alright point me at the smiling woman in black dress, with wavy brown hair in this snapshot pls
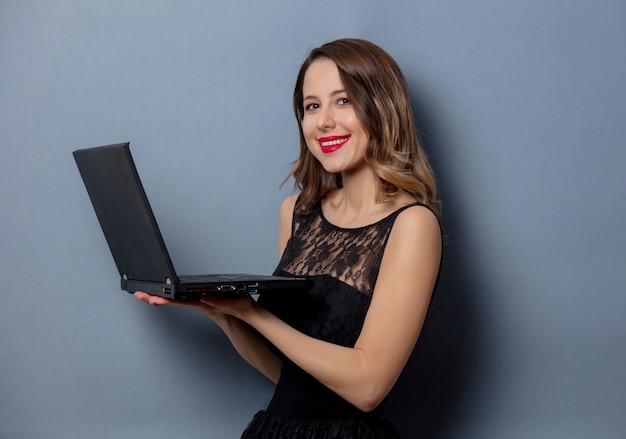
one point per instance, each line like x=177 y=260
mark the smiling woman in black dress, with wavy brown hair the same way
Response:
x=364 y=227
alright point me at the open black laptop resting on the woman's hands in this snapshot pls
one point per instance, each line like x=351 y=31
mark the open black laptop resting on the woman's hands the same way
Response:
x=133 y=236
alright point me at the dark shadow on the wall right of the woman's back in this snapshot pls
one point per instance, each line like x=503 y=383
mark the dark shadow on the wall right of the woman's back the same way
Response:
x=436 y=380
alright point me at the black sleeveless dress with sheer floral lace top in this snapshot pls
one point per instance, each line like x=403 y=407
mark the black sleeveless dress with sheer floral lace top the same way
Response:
x=343 y=263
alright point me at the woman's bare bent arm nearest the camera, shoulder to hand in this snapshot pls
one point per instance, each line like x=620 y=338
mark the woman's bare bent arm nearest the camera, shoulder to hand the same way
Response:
x=364 y=375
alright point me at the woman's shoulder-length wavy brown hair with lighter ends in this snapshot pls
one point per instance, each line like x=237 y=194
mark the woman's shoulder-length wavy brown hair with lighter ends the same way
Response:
x=377 y=90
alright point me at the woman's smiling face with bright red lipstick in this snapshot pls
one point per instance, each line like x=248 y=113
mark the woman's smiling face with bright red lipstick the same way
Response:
x=331 y=128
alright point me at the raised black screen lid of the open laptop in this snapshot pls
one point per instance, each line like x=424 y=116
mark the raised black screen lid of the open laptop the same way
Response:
x=125 y=216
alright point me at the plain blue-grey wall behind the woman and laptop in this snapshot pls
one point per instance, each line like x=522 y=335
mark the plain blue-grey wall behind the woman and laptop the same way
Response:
x=522 y=109
